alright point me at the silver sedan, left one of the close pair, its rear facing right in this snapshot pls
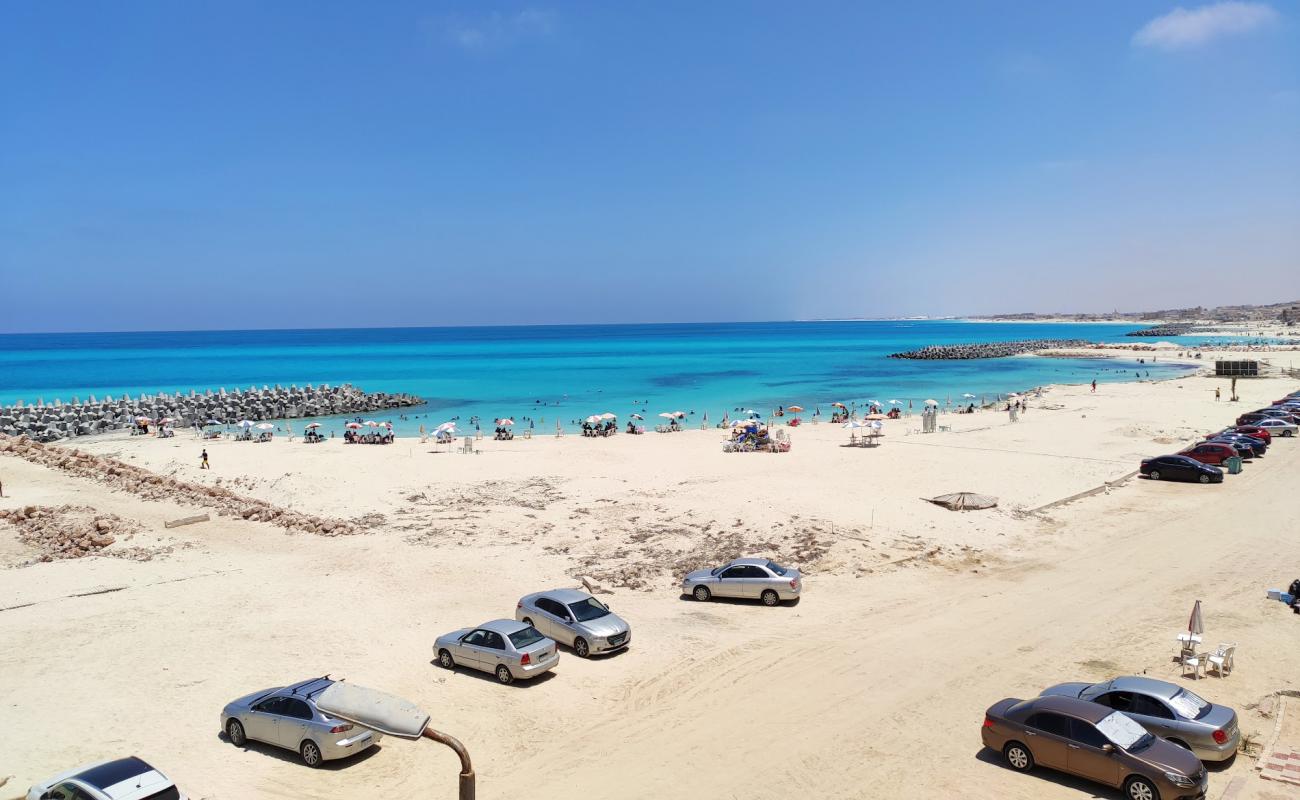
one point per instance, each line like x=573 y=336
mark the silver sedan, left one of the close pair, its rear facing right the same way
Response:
x=506 y=648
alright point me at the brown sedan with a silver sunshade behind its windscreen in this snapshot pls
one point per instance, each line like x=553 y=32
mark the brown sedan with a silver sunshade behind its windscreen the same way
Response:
x=1090 y=741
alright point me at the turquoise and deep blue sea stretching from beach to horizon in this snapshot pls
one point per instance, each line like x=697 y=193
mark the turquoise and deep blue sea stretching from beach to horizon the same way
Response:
x=567 y=371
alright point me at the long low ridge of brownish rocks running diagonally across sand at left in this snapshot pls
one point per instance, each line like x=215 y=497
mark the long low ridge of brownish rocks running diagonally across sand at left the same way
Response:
x=149 y=486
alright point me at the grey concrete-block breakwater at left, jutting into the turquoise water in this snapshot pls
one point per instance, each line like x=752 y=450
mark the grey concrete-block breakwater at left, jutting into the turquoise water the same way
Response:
x=63 y=421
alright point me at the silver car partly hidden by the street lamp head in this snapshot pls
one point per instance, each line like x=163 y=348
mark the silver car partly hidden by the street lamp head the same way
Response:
x=288 y=717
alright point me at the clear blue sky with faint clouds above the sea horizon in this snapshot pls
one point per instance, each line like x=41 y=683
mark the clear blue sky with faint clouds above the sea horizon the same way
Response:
x=184 y=166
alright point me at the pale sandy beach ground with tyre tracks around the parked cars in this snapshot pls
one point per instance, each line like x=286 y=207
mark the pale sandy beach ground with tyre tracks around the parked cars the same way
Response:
x=916 y=619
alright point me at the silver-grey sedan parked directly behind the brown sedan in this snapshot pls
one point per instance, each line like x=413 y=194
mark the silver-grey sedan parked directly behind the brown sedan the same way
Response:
x=1211 y=732
